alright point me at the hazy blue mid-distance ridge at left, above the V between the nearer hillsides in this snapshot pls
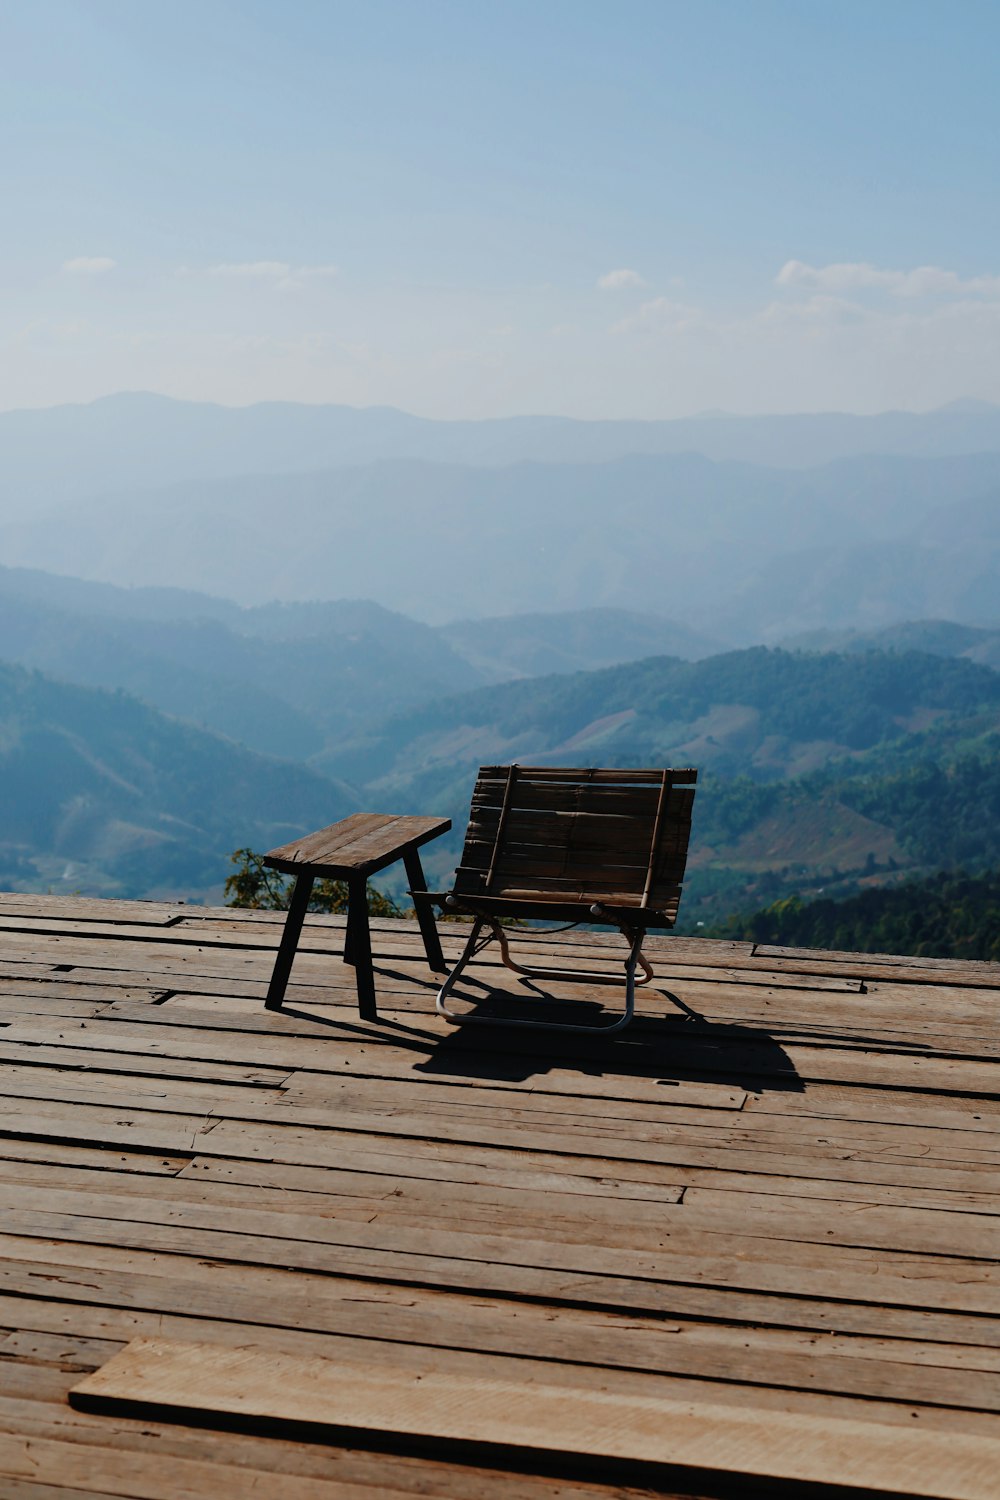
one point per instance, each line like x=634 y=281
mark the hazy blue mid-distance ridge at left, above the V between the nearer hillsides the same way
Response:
x=289 y=679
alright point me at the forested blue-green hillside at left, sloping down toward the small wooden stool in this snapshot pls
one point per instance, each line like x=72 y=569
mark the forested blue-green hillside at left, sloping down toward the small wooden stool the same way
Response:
x=107 y=796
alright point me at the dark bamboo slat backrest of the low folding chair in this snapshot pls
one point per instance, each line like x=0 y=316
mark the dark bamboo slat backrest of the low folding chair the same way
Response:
x=576 y=838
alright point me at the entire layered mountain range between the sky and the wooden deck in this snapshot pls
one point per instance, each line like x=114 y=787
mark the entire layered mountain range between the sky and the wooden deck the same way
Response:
x=428 y=580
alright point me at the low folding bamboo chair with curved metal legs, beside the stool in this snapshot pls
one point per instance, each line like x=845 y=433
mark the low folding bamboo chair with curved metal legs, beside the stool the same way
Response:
x=576 y=847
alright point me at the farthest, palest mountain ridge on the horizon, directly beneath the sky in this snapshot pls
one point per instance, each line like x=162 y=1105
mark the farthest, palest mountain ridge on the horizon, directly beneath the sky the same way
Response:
x=125 y=442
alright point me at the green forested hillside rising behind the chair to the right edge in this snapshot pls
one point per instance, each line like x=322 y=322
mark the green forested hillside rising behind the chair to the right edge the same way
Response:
x=816 y=772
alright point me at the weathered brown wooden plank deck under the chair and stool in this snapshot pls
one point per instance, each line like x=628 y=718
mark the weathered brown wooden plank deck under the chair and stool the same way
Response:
x=755 y=1241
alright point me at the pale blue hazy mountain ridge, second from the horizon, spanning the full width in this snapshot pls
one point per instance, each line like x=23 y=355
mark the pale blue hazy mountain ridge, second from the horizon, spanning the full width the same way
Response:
x=737 y=551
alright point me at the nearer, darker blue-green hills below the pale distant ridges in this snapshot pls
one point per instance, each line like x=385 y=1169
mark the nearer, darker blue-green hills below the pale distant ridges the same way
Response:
x=828 y=769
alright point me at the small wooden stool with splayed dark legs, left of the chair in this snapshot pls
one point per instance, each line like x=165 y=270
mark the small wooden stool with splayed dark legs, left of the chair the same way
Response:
x=355 y=850
